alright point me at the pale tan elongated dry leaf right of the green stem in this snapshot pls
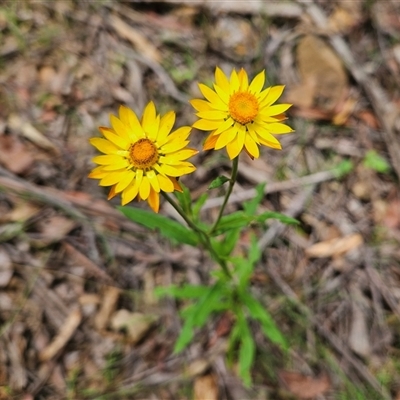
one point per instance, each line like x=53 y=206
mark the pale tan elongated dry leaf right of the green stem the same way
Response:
x=335 y=247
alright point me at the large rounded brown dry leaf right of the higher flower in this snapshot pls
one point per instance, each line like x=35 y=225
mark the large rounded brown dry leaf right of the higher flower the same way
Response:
x=324 y=82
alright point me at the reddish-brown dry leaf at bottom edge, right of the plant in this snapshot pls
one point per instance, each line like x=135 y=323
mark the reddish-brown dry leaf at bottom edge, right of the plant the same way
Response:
x=303 y=386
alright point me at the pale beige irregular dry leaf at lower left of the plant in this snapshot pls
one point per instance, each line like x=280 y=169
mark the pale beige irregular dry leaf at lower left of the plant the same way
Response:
x=136 y=324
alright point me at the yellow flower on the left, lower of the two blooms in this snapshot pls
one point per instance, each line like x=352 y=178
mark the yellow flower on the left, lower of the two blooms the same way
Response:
x=142 y=158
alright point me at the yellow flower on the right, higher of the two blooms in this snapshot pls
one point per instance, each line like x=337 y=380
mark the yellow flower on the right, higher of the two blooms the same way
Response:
x=240 y=115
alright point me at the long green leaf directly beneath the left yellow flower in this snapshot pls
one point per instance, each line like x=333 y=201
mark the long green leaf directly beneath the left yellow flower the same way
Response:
x=167 y=227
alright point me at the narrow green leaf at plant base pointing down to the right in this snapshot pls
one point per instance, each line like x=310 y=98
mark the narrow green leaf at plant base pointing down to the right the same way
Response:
x=258 y=312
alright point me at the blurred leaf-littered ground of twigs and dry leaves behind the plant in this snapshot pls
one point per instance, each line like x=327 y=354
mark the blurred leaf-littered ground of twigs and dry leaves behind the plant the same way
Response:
x=78 y=317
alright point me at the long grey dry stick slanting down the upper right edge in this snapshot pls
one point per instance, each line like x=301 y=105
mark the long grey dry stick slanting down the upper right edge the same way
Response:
x=385 y=110
